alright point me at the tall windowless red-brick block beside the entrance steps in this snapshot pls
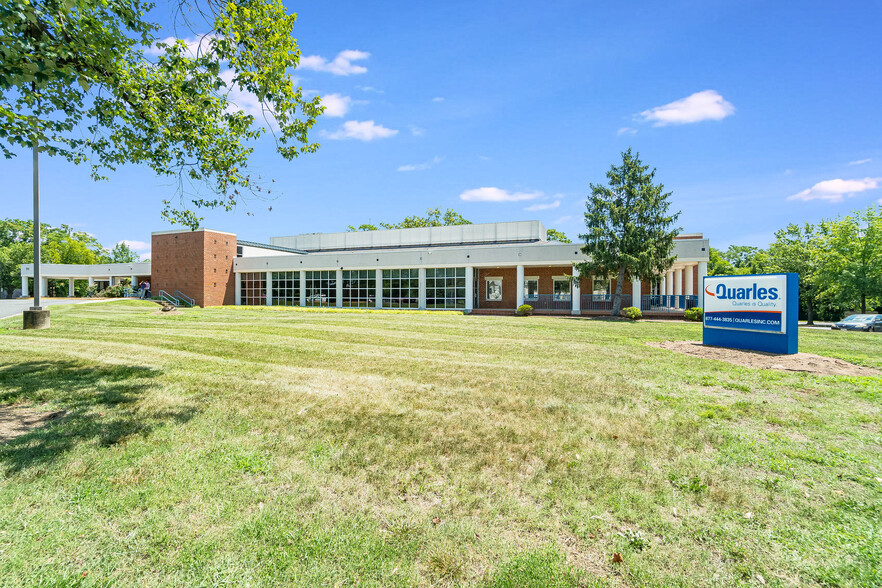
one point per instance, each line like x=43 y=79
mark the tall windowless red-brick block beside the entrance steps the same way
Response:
x=198 y=263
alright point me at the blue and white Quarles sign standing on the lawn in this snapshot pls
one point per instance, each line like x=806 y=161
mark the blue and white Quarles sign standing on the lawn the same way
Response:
x=752 y=312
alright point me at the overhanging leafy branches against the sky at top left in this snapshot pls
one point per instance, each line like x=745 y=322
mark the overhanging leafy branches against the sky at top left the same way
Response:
x=88 y=81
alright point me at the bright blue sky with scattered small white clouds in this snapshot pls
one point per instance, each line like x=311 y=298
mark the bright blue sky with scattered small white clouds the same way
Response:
x=755 y=114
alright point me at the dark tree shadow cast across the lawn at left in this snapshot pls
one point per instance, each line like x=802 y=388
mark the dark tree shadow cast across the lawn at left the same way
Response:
x=100 y=404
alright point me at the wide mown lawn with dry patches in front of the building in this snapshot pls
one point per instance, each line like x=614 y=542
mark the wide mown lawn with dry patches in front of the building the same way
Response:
x=264 y=447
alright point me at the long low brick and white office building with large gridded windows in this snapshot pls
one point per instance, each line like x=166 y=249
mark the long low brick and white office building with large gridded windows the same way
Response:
x=493 y=267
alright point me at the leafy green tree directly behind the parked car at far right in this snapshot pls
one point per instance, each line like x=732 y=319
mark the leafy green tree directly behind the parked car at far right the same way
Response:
x=851 y=271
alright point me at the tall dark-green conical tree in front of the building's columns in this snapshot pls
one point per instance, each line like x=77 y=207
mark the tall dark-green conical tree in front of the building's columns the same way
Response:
x=630 y=230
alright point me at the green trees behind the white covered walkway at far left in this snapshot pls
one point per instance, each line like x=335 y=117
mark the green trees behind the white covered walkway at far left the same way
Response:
x=60 y=244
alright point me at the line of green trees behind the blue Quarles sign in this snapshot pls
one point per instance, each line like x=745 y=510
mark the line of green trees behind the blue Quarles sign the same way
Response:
x=839 y=262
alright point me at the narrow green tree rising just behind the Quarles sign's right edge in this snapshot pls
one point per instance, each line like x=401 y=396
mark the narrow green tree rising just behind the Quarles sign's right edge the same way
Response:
x=798 y=249
